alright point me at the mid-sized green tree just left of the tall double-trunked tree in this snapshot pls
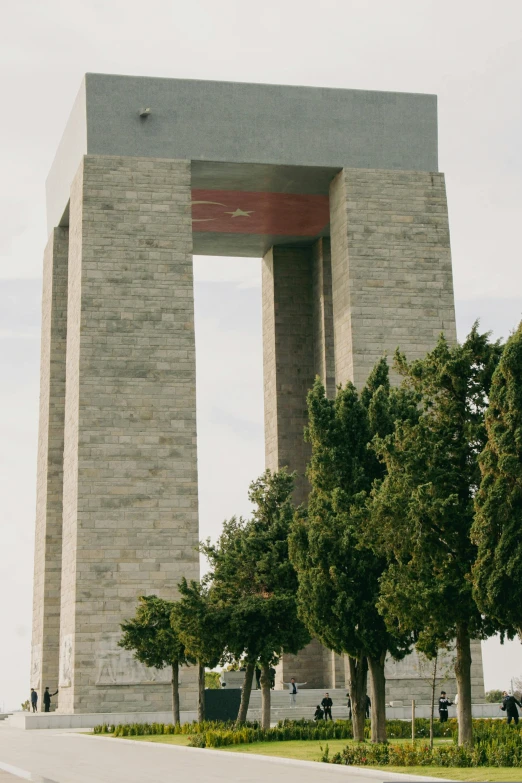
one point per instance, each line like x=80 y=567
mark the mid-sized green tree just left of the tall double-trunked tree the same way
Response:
x=255 y=582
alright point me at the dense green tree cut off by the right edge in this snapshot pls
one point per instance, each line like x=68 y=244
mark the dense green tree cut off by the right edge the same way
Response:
x=497 y=572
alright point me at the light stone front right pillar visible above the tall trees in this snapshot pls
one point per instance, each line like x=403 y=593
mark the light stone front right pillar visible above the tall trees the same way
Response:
x=391 y=267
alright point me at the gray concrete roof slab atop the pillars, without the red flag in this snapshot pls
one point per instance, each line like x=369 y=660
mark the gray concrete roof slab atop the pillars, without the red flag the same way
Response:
x=244 y=138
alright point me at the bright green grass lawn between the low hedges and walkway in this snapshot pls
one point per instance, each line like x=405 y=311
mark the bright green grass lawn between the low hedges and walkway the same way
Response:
x=310 y=750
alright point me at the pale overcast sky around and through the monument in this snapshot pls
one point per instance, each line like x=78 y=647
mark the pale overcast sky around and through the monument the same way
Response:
x=469 y=53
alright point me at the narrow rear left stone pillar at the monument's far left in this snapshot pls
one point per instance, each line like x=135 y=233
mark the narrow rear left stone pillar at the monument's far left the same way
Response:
x=48 y=541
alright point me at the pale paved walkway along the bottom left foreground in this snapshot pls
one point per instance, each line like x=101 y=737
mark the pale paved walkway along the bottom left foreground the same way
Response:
x=48 y=756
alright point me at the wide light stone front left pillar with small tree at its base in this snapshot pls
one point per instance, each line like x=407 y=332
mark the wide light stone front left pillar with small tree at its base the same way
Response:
x=130 y=517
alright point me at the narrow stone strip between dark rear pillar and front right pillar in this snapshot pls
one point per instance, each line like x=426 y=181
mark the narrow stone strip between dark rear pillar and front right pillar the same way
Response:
x=324 y=360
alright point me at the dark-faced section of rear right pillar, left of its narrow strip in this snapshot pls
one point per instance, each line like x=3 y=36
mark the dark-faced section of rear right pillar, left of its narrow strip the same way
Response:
x=288 y=358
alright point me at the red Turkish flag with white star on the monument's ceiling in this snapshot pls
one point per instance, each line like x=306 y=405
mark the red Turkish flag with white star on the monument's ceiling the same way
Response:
x=246 y=212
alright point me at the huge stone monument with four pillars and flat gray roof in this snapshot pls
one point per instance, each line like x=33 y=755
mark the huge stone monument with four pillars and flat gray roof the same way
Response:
x=339 y=192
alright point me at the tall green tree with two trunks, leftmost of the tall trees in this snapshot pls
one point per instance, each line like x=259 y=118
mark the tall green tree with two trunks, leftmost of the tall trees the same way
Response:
x=338 y=573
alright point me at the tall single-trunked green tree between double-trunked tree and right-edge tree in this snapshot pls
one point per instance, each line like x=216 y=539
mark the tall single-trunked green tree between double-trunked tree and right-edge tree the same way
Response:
x=423 y=509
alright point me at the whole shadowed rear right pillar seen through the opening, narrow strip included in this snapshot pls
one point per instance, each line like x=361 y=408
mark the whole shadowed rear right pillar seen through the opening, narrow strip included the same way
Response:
x=297 y=345
